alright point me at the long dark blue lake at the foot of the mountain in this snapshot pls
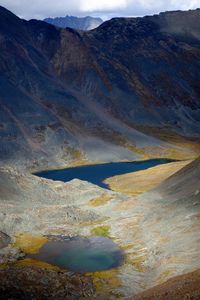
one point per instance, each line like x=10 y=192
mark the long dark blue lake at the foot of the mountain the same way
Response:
x=98 y=173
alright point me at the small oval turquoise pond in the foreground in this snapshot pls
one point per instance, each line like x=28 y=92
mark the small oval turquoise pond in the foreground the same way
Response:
x=81 y=255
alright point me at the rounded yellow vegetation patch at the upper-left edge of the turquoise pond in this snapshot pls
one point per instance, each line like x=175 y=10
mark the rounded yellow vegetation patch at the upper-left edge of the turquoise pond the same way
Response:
x=28 y=243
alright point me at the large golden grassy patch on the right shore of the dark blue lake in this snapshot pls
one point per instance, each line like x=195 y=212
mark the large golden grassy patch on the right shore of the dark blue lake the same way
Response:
x=142 y=181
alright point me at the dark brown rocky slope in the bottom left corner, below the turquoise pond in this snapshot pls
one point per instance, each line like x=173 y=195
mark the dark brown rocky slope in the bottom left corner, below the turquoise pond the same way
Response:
x=28 y=283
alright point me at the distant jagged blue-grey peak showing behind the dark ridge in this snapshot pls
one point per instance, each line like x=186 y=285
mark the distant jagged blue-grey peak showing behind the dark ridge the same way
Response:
x=85 y=23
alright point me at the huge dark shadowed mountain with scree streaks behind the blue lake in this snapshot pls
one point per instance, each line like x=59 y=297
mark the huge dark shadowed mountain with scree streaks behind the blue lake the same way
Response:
x=128 y=89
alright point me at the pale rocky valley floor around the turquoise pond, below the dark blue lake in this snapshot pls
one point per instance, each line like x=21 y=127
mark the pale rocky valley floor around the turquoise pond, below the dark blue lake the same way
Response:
x=157 y=229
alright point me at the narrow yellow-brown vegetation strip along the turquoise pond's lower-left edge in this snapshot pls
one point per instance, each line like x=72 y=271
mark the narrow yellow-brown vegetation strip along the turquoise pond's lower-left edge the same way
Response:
x=37 y=264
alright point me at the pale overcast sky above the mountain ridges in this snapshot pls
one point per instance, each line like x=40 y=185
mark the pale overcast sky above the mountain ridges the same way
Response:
x=40 y=9
